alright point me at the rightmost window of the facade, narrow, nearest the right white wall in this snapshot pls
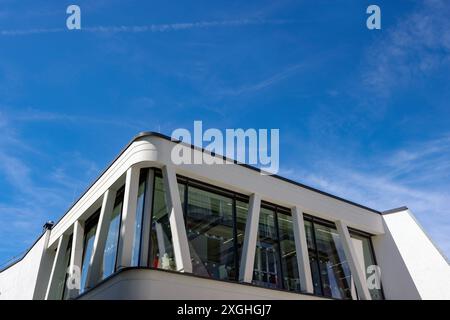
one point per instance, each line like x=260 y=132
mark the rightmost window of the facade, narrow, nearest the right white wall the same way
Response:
x=364 y=253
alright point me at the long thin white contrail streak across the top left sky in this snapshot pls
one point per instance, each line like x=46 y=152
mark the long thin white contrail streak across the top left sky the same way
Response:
x=152 y=28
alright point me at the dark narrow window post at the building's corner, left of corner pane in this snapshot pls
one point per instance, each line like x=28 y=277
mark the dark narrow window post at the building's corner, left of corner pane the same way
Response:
x=146 y=221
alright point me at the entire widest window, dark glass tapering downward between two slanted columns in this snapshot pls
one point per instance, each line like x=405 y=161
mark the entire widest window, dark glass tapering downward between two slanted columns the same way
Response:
x=215 y=226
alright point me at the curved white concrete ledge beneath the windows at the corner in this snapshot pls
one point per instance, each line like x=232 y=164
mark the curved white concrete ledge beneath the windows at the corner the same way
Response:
x=152 y=284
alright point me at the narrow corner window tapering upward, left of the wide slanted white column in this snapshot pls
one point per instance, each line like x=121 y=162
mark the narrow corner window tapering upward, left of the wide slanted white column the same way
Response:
x=161 y=249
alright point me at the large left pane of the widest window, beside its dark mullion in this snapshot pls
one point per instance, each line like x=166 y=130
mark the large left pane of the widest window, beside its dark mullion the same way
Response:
x=209 y=225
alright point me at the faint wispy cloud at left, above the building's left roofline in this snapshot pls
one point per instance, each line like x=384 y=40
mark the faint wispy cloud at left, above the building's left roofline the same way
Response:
x=31 y=196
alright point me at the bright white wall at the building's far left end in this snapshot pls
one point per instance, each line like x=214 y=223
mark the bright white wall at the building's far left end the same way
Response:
x=18 y=281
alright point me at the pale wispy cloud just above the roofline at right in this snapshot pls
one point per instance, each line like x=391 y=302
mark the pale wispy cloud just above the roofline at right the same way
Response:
x=379 y=185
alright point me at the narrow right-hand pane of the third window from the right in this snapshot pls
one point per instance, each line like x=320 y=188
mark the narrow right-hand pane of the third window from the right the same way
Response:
x=288 y=254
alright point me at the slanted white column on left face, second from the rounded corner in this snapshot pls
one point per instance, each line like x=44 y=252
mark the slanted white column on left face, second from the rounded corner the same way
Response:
x=94 y=272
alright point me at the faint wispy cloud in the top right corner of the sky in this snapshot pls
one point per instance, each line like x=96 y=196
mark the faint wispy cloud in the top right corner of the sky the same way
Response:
x=418 y=45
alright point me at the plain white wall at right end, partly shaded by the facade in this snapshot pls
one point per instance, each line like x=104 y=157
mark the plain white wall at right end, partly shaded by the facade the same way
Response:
x=411 y=266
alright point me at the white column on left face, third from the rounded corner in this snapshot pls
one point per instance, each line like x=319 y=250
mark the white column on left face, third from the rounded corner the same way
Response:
x=76 y=258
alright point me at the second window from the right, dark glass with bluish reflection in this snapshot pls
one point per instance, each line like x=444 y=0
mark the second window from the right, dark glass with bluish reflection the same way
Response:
x=329 y=267
